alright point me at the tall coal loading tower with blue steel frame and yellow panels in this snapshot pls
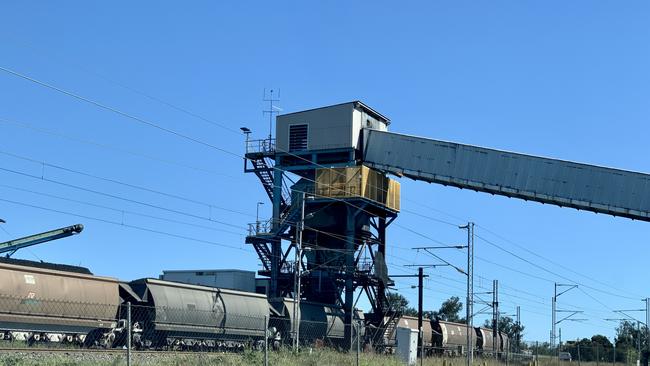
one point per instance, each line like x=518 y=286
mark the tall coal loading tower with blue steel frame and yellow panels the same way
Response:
x=326 y=240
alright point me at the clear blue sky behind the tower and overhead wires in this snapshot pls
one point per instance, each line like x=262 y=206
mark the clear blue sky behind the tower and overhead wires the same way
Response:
x=559 y=79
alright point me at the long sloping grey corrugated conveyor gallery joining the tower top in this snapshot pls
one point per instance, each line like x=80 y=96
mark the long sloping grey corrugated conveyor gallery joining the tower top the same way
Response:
x=564 y=183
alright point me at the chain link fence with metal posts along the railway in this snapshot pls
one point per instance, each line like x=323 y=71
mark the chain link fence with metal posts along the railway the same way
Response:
x=129 y=330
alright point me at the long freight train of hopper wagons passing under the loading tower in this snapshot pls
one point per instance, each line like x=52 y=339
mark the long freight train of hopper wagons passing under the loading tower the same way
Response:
x=42 y=302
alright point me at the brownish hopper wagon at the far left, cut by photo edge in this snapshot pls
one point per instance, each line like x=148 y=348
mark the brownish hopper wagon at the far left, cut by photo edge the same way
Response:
x=39 y=303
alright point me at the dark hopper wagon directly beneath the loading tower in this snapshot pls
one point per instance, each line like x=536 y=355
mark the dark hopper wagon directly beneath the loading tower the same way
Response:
x=318 y=322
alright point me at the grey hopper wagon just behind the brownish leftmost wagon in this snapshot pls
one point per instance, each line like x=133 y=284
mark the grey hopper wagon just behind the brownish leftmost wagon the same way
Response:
x=175 y=315
